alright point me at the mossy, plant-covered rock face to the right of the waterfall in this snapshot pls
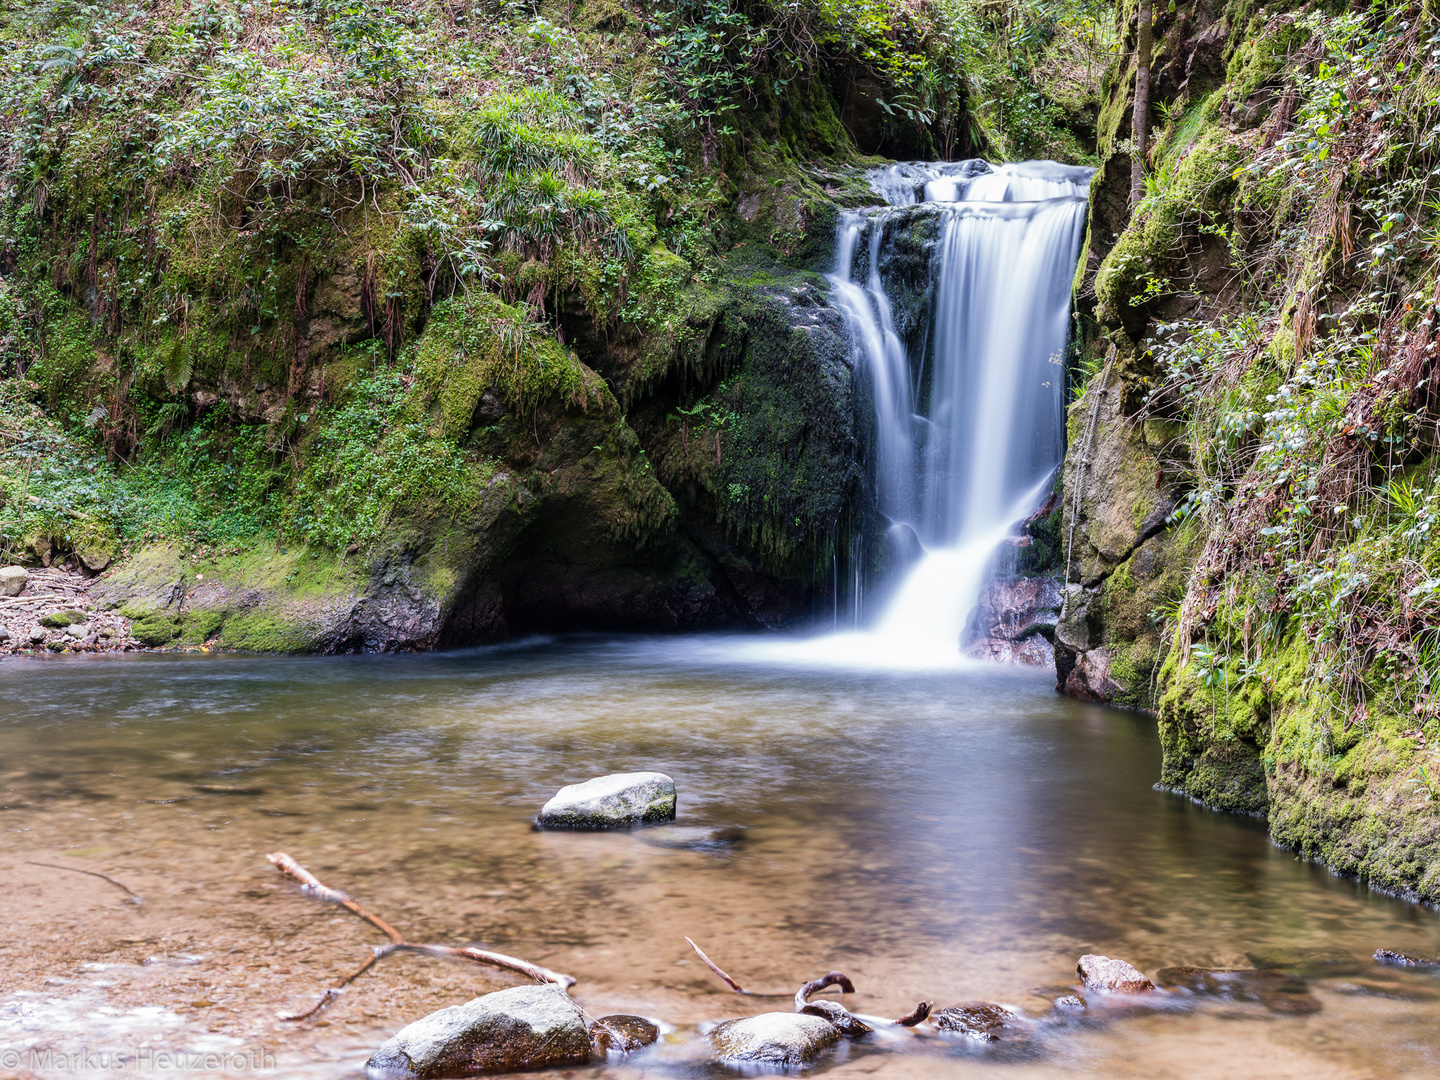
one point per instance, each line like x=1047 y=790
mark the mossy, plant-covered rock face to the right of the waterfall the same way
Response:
x=1251 y=489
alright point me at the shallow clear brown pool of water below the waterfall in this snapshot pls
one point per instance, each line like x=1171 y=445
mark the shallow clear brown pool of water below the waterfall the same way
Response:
x=945 y=836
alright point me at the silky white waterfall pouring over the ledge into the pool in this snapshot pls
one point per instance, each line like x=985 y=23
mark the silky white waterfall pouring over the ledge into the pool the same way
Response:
x=970 y=423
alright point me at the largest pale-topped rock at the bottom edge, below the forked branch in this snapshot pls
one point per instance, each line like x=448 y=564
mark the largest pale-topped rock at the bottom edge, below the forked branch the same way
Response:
x=521 y=1029
